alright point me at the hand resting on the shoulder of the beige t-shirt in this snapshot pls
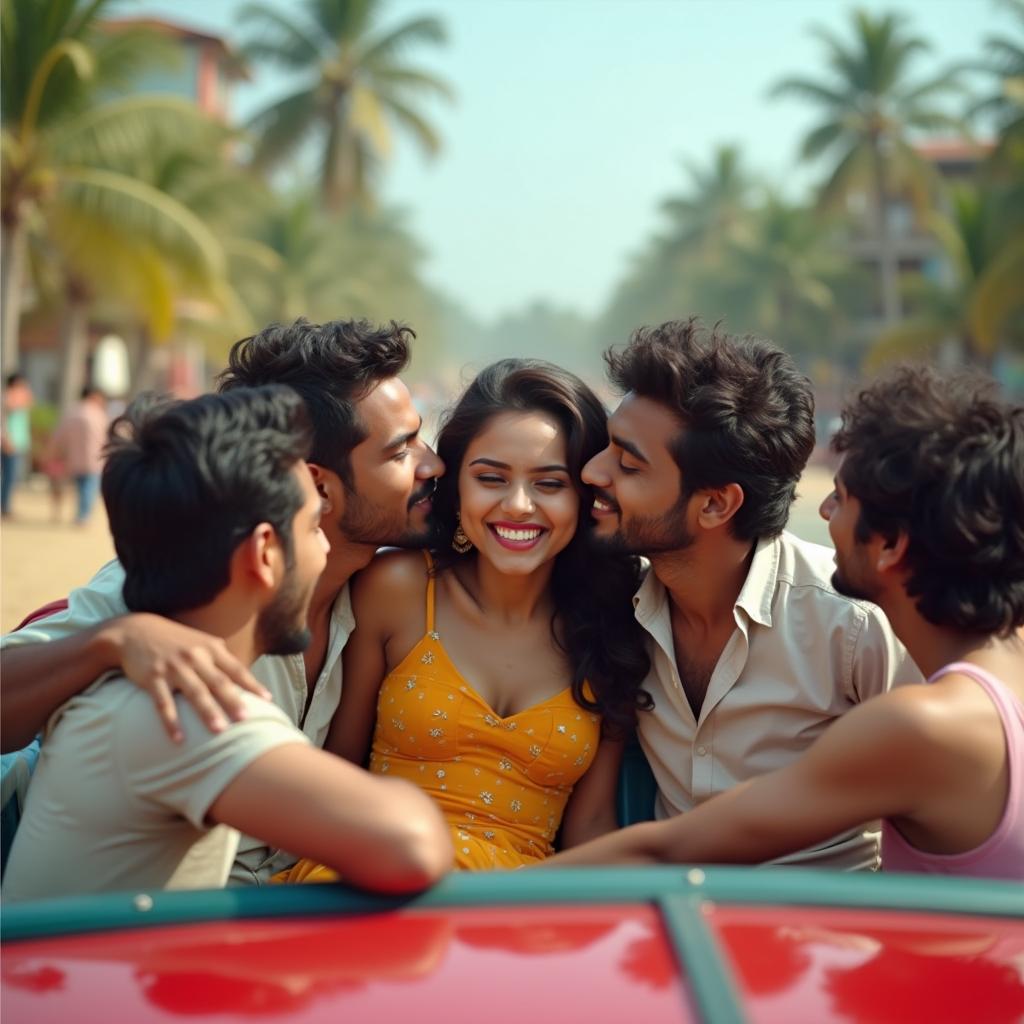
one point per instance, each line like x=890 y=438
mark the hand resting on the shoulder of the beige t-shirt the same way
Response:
x=164 y=658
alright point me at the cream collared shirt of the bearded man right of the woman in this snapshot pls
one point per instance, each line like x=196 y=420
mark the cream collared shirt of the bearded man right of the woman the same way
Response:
x=800 y=657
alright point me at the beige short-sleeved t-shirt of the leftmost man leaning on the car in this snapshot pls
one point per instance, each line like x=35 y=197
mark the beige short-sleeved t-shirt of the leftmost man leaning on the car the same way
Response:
x=115 y=804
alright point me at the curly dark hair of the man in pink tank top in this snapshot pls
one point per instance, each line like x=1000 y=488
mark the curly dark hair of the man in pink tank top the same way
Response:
x=941 y=457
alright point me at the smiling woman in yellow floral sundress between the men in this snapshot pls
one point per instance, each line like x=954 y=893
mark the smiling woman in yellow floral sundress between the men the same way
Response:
x=502 y=673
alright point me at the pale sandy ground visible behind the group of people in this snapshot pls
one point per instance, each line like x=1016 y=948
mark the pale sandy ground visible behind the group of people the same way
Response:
x=41 y=561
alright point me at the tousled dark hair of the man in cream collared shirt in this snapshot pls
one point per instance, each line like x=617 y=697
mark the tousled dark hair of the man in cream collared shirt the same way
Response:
x=746 y=414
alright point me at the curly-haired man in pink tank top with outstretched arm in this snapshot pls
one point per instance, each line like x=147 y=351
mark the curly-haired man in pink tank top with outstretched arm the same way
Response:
x=928 y=523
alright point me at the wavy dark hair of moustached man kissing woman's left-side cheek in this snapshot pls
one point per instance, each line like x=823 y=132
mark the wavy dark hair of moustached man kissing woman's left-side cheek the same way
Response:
x=331 y=366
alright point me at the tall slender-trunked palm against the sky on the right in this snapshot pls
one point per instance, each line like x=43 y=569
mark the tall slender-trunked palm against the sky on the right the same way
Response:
x=870 y=108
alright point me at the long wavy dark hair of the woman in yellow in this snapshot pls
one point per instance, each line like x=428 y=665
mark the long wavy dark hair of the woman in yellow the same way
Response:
x=593 y=621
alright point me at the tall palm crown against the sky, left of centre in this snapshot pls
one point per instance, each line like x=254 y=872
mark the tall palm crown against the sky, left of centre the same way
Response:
x=356 y=86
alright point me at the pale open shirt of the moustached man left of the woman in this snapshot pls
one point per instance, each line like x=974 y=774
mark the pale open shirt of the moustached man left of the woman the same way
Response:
x=284 y=676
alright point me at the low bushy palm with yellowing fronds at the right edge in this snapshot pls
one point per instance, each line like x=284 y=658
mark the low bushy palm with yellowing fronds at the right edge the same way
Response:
x=974 y=302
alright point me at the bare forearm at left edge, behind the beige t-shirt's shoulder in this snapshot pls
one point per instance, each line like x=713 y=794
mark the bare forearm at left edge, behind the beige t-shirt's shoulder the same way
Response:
x=36 y=679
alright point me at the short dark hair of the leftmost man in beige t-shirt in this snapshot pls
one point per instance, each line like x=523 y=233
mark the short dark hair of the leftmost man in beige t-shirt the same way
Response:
x=185 y=483
